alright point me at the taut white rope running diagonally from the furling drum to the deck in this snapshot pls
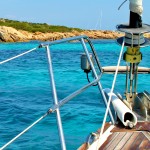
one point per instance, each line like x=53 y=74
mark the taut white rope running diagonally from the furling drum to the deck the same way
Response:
x=111 y=92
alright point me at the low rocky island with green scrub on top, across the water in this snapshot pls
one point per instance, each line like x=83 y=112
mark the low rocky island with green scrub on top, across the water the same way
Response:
x=21 y=32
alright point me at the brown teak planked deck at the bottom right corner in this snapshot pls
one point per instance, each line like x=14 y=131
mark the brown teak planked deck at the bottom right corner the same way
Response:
x=129 y=139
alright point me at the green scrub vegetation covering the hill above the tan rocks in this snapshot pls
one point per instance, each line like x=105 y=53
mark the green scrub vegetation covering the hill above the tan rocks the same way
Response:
x=35 y=27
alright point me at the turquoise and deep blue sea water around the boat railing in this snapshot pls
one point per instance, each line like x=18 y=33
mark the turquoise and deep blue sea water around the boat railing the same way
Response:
x=25 y=93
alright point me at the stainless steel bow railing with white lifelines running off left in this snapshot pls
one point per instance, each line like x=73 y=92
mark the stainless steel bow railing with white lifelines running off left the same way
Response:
x=57 y=105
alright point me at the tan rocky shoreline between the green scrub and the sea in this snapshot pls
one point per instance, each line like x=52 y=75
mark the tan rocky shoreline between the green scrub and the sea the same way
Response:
x=9 y=34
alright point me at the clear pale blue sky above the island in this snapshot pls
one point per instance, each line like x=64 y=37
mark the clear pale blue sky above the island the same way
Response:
x=85 y=14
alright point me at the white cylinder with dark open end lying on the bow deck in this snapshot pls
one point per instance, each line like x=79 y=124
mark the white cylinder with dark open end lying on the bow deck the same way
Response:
x=126 y=116
